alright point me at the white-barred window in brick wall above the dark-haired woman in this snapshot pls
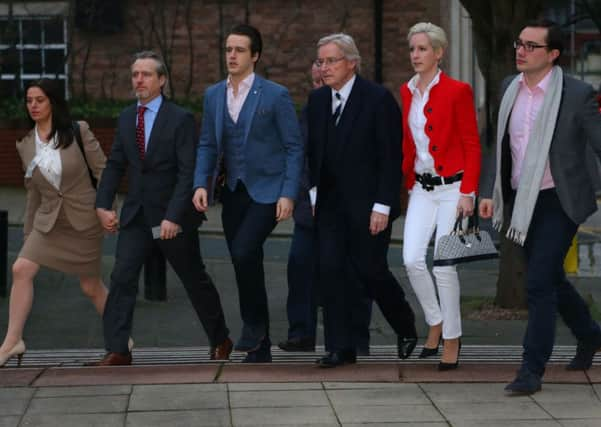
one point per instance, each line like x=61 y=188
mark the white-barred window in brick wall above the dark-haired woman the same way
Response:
x=33 y=44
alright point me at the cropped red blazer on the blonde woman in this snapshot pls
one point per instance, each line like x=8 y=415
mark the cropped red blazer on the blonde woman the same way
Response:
x=453 y=132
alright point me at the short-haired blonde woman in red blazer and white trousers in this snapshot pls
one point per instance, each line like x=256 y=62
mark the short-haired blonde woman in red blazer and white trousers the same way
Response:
x=441 y=166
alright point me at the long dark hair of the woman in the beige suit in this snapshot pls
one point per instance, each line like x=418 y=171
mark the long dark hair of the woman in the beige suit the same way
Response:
x=62 y=125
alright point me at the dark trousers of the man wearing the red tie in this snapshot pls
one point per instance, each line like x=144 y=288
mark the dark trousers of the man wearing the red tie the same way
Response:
x=183 y=253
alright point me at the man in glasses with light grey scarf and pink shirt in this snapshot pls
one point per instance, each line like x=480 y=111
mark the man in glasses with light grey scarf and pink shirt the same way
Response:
x=546 y=120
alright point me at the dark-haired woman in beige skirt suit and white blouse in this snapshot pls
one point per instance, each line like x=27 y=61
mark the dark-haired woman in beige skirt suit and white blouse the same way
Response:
x=61 y=229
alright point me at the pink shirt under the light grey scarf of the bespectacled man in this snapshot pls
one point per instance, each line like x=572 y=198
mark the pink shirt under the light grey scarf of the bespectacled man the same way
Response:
x=525 y=109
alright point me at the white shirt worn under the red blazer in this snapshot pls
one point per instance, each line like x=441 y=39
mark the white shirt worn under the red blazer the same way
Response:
x=424 y=162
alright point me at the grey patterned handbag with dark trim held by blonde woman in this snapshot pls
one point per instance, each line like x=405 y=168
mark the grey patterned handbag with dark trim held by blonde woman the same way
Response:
x=465 y=245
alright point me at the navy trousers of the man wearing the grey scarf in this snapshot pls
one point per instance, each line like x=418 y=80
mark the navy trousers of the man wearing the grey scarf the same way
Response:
x=548 y=291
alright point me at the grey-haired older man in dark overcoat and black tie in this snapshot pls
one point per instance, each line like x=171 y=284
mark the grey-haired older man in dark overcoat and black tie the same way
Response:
x=354 y=158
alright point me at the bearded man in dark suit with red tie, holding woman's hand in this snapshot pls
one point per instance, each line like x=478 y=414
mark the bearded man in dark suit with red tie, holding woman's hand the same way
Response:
x=155 y=144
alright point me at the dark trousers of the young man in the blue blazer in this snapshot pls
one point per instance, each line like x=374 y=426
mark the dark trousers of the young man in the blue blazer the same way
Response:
x=246 y=225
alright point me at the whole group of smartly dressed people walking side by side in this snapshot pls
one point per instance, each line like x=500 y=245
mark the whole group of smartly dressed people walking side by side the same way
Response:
x=343 y=165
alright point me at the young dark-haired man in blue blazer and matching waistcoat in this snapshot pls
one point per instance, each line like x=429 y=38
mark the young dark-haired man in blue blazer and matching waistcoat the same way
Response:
x=250 y=123
